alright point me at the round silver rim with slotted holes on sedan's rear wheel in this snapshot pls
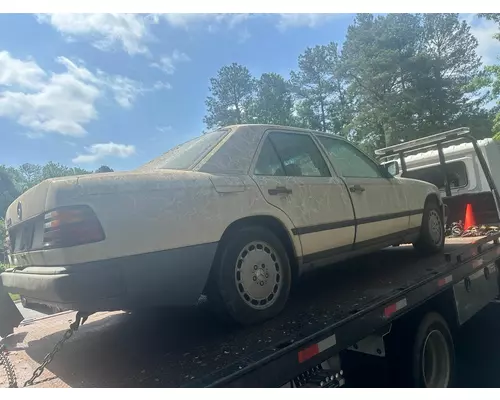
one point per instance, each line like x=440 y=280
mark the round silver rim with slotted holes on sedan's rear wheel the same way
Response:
x=258 y=275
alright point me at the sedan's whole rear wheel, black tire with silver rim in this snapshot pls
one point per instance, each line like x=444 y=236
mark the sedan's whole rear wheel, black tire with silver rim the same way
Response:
x=251 y=277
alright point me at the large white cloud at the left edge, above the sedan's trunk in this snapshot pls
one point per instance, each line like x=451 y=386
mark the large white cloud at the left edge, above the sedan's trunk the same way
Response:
x=59 y=102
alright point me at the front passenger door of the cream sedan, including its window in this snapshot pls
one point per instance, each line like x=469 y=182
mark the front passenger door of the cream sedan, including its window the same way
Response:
x=379 y=202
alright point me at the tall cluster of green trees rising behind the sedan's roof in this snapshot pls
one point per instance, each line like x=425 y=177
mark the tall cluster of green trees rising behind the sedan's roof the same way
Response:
x=398 y=77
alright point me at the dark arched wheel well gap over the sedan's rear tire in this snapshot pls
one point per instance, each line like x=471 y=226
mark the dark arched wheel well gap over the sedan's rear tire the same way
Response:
x=271 y=223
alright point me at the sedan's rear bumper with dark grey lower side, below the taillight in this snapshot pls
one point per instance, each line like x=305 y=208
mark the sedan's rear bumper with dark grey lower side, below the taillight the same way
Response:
x=167 y=278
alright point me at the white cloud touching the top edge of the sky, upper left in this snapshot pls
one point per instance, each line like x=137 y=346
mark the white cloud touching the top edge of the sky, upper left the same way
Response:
x=105 y=31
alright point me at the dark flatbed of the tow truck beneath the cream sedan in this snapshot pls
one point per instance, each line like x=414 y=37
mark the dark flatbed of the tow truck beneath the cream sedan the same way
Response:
x=329 y=311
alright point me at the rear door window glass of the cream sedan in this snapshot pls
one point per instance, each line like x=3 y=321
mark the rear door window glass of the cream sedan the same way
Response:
x=291 y=154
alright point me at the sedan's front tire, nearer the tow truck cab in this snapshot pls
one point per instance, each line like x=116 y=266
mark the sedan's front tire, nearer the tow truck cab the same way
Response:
x=431 y=238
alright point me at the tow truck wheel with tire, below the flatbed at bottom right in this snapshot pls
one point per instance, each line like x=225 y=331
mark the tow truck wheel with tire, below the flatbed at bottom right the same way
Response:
x=433 y=358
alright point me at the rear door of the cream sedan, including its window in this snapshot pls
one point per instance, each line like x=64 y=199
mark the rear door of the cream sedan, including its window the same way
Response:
x=294 y=176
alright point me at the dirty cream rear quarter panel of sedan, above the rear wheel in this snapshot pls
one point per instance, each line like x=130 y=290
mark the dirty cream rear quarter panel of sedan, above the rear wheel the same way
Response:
x=162 y=214
